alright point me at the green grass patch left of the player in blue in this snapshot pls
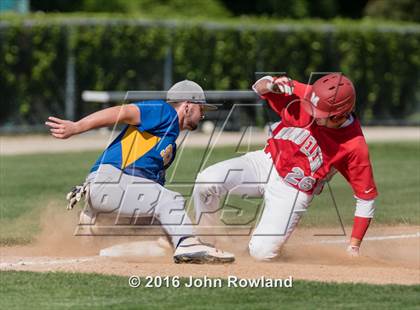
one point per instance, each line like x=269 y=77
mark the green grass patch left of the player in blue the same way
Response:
x=31 y=182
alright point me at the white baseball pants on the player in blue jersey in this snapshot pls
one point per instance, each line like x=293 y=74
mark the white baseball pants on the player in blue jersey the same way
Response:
x=111 y=190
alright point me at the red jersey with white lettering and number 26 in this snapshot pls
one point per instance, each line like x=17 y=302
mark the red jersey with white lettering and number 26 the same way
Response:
x=306 y=157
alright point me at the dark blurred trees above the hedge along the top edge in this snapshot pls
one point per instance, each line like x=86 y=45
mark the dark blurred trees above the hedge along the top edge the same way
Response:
x=407 y=10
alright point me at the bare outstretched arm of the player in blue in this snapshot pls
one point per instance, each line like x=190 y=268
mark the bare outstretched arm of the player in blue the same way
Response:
x=63 y=129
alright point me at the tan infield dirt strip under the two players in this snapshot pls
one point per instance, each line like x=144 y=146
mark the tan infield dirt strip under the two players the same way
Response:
x=305 y=256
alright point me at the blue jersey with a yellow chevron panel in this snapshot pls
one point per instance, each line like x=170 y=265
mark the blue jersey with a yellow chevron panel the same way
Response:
x=147 y=149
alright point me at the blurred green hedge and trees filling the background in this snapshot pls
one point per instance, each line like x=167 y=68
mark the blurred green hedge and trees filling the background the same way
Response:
x=126 y=50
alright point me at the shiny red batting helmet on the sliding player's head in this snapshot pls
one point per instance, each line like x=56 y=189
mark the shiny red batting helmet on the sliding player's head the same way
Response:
x=331 y=95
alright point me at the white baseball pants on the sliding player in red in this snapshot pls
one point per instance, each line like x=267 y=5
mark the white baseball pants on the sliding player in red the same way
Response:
x=254 y=175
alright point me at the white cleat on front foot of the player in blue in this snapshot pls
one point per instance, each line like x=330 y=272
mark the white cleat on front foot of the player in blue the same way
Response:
x=193 y=251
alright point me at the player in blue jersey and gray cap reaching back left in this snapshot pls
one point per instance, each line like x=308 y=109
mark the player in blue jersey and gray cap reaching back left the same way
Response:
x=129 y=176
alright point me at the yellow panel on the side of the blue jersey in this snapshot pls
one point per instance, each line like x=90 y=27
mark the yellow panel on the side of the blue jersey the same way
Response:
x=134 y=144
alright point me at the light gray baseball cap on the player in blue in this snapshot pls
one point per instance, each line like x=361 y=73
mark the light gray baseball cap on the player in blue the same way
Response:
x=190 y=91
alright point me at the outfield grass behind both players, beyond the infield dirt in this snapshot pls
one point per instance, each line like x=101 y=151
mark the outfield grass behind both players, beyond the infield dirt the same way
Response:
x=31 y=182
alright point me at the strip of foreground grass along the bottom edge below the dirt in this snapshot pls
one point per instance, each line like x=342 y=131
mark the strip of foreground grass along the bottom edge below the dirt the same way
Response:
x=29 y=290
